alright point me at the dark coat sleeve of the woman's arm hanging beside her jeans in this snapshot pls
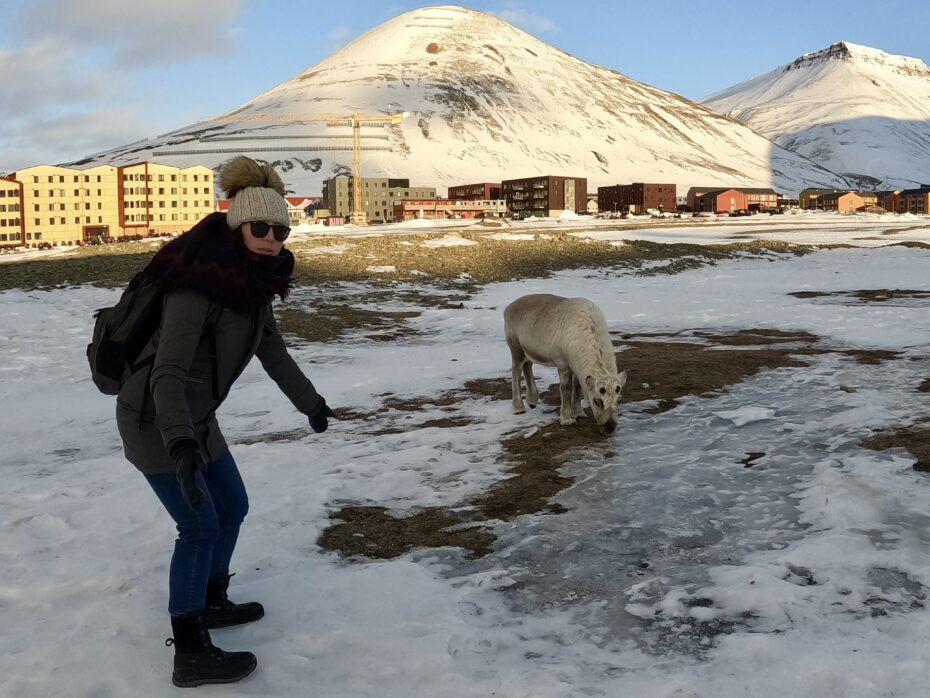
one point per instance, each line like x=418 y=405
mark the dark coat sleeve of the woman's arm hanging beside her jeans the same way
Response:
x=185 y=314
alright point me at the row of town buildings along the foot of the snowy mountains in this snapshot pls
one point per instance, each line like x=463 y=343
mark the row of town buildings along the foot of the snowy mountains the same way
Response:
x=48 y=206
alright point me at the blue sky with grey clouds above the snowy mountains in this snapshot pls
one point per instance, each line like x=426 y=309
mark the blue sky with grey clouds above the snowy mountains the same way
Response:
x=83 y=76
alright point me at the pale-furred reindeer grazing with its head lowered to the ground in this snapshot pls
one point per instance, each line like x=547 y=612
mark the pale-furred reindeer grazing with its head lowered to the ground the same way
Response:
x=570 y=334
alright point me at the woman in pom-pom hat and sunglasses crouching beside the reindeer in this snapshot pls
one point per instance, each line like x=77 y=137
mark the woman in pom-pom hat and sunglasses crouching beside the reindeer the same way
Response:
x=219 y=279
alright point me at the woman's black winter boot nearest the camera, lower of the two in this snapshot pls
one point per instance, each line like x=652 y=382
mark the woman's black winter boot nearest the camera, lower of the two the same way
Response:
x=197 y=661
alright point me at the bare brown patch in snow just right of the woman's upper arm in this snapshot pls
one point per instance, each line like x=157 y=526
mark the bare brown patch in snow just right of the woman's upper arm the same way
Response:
x=328 y=322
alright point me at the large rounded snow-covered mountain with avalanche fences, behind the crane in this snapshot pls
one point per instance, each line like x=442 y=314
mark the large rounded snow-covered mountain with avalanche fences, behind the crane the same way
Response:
x=487 y=102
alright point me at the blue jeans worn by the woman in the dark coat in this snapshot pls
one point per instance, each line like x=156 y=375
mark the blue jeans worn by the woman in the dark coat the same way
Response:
x=206 y=538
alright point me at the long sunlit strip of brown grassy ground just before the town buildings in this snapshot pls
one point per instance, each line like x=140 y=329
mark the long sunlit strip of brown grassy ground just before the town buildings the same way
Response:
x=466 y=266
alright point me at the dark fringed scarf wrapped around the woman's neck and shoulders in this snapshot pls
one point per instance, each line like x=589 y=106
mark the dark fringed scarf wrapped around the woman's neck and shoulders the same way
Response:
x=212 y=260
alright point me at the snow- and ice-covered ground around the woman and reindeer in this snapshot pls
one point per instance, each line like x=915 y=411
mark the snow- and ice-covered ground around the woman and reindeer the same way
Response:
x=675 y=571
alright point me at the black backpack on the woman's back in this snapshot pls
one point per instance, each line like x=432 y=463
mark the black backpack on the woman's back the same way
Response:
x=121 y=332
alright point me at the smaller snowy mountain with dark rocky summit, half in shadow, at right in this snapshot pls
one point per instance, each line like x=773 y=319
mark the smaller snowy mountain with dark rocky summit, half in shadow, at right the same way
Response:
x=856 y=110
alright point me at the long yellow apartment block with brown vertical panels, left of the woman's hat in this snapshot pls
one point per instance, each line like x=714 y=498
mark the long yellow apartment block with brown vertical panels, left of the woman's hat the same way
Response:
x=64 y=205
